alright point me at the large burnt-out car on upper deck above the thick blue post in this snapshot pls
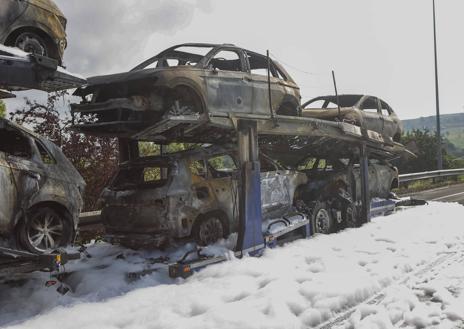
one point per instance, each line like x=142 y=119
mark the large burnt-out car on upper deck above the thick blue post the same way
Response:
x=188 y=79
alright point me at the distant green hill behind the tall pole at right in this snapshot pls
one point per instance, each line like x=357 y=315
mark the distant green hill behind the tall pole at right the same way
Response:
x=452 y=126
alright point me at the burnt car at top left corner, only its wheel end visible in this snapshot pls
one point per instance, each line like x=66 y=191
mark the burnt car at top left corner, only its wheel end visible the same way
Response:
x=35 y=26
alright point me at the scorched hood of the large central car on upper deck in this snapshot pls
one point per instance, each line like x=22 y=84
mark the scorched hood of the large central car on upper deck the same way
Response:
x=94 y=83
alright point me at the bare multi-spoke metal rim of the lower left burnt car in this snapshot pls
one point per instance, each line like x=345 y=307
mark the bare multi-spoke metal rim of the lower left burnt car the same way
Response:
x=45 y=232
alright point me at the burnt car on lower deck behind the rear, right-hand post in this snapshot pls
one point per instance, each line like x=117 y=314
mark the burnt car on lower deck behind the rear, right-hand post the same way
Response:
x=334 y=186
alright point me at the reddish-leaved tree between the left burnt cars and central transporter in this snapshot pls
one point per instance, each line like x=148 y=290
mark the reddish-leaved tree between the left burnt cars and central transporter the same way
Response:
x=95 y=158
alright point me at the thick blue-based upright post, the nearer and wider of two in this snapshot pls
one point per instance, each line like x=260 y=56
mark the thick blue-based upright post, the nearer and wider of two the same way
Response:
x=250 y=237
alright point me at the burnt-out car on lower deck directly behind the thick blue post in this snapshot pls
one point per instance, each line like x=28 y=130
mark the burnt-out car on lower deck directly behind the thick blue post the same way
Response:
x=190 y=194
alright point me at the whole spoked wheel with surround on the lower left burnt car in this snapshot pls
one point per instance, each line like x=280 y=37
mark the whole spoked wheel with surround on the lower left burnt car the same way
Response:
x=45 y=231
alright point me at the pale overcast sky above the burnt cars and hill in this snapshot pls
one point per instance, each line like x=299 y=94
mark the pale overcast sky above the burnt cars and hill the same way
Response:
x=376 y=47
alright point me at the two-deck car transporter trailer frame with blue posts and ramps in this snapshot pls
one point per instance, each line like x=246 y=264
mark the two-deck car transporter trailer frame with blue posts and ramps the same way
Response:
x=22 y=72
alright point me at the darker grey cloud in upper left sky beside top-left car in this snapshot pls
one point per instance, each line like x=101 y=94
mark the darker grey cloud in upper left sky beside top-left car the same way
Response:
x=104 y=34
